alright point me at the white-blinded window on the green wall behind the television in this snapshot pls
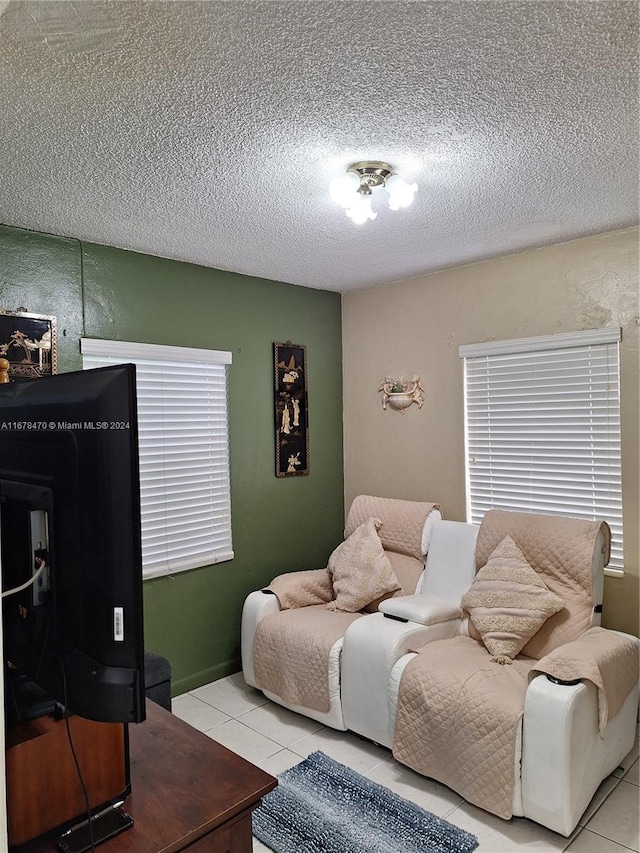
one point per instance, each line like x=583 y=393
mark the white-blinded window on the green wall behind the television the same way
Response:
x=184 y=451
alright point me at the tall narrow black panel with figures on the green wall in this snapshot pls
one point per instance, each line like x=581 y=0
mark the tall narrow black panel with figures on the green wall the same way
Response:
x=291 y=411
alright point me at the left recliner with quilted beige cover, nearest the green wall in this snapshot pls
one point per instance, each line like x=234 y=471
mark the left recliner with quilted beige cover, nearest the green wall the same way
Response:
x=292 y=635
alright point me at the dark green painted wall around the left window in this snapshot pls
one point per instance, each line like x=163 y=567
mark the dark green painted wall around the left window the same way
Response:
x=279 y=525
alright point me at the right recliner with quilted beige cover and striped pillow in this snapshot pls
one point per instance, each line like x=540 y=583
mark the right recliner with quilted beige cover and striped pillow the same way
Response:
x=534 y=732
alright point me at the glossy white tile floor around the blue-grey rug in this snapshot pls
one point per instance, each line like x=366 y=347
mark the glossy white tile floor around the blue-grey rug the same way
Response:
x=272 y=737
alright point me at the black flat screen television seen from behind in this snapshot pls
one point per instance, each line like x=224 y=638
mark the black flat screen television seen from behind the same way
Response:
x=70 y=512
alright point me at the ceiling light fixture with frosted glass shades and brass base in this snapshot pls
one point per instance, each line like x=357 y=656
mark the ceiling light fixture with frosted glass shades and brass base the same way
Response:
x=354 y=190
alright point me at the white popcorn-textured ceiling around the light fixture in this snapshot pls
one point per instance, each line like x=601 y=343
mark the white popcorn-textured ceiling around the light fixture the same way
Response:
x=209 y=131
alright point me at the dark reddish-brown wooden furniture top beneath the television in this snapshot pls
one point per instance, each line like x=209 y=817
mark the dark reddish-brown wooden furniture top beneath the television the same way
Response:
x=183 y=786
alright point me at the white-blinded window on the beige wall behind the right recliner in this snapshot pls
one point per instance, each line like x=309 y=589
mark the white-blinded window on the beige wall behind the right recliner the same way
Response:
x=542 y=419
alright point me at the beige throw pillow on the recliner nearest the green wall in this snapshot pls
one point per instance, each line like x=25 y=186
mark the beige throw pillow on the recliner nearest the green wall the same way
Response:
x=360 y=569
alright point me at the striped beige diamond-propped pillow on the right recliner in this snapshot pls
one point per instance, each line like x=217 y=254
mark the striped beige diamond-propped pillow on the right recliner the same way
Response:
x=508 y=602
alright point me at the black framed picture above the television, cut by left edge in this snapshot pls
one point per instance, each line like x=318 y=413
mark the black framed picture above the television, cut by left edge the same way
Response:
x=28 y=342
